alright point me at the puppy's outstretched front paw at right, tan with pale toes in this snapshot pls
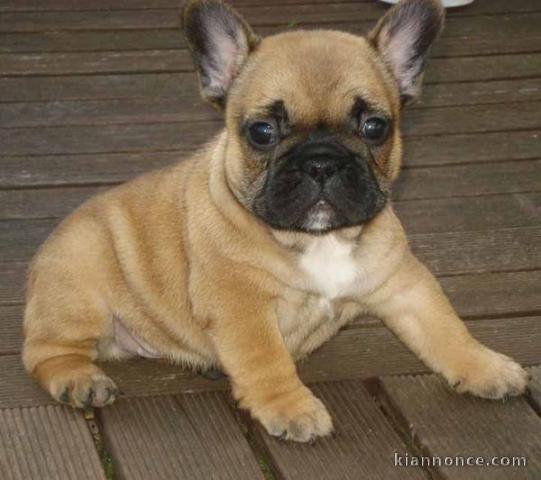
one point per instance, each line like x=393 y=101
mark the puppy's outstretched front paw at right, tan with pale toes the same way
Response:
x=491 y=375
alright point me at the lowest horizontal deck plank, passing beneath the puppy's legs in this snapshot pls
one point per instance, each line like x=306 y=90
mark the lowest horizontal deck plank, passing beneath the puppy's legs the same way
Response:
x=364 y=349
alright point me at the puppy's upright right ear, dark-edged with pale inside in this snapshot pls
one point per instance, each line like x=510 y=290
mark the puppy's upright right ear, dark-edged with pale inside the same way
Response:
x=403 y=37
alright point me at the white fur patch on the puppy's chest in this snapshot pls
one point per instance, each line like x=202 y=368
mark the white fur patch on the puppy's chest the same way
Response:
x=330 y=266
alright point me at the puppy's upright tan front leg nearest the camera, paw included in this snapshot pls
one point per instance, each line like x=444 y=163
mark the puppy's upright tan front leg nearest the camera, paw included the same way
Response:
x=263 y=375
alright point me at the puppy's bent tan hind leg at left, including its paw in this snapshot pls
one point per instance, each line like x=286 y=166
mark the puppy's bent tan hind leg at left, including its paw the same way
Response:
x=61 y=335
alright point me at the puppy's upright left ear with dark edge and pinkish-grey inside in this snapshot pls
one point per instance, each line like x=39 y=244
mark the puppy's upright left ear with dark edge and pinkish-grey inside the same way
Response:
x=220 y=42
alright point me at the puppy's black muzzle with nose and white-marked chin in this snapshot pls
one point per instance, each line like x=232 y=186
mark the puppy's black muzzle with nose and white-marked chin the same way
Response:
x=318 y=188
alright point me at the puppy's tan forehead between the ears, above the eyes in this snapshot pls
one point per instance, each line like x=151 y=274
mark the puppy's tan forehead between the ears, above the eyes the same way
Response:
x=318 y=75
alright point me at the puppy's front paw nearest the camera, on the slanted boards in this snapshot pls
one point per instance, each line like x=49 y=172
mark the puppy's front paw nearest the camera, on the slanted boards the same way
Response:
x=301 y=418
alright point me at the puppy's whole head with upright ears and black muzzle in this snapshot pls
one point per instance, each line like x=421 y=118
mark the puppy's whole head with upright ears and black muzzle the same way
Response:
x=312 y=117
